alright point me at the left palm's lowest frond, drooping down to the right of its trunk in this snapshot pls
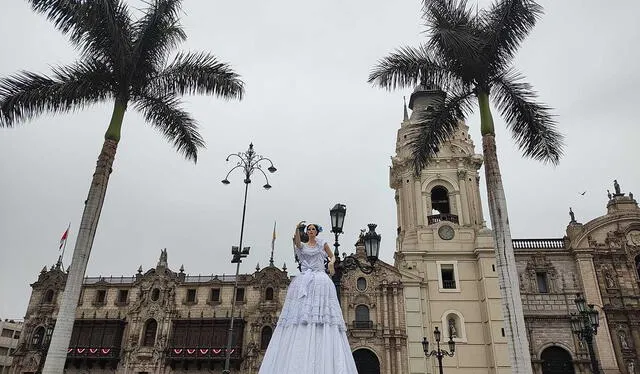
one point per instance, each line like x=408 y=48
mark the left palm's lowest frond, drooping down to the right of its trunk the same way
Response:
x=164 y=113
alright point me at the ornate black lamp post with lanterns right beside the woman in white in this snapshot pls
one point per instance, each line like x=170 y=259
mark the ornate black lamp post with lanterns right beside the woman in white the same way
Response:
x=371 y=245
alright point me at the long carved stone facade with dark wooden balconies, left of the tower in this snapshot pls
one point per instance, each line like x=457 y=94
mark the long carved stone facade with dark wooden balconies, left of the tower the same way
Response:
x=161 y=321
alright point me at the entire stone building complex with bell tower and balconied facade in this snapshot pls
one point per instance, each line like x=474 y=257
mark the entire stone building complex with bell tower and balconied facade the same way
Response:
x=162 y=320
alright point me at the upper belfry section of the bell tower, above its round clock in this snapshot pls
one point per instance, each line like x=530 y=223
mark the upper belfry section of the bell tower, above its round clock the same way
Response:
x=447 y=190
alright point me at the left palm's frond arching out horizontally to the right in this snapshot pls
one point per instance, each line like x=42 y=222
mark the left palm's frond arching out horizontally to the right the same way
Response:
x=198 y=73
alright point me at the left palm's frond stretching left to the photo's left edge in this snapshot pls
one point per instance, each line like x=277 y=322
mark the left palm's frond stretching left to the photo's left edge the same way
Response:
x=26 y=95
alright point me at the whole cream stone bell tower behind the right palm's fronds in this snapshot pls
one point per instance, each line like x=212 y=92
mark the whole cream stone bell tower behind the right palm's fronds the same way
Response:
x=444 y=251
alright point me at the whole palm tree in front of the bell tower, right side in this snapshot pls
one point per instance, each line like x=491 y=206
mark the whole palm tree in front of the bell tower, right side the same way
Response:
x=469 y=55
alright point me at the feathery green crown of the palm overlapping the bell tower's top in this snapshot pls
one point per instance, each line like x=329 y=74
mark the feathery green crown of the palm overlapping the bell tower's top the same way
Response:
x=469 y=56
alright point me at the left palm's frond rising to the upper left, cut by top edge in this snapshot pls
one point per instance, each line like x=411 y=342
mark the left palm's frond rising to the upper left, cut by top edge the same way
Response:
x=101 y=29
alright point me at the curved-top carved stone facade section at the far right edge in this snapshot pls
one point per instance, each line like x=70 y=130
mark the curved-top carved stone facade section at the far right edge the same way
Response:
x=611 y=243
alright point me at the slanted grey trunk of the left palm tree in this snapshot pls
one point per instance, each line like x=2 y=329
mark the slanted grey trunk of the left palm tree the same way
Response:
x=57 y=353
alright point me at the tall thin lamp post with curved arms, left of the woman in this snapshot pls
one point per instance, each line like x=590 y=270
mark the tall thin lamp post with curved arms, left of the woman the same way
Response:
x=248 y=162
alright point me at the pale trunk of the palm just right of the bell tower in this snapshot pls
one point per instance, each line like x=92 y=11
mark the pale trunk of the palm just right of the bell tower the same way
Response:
x=515 y=330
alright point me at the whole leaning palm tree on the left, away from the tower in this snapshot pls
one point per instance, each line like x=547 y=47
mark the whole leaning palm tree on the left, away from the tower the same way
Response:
x=125 y=61
